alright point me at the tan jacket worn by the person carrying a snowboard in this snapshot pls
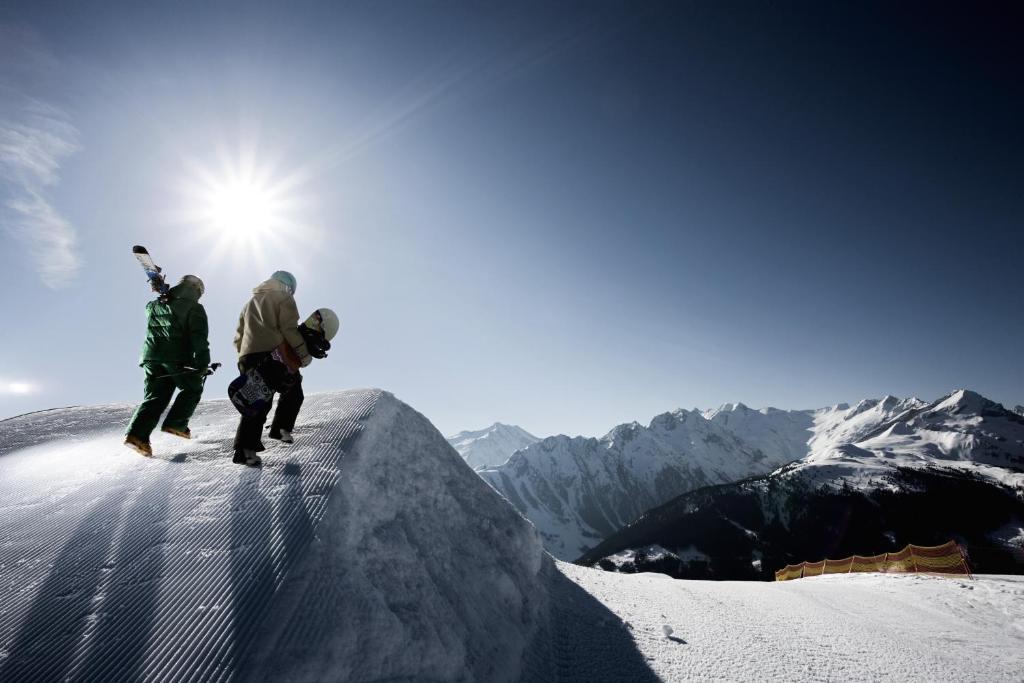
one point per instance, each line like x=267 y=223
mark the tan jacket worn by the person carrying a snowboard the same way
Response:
x=268 y=320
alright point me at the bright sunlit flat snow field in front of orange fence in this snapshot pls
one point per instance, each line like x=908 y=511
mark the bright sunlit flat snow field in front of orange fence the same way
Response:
x=836 y=628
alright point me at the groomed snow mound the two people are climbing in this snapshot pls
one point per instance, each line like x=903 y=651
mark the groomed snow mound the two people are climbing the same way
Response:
x=366 y=551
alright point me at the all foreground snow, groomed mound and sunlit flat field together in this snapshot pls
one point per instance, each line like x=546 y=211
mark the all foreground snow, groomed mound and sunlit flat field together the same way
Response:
x=371 y=551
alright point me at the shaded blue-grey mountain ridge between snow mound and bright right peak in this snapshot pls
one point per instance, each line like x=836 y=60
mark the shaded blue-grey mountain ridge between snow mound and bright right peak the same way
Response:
x=578 y=491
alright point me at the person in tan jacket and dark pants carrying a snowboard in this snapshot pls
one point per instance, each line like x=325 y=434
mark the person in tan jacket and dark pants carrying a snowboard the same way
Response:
x=269 y=338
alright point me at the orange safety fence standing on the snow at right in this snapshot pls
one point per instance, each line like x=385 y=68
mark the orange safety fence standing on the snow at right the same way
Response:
x=949 y=559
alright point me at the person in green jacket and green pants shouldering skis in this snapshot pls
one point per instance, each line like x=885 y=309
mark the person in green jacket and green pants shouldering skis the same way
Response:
x=177 y=355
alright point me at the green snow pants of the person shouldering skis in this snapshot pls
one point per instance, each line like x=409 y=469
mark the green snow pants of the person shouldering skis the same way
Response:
x=159 y=391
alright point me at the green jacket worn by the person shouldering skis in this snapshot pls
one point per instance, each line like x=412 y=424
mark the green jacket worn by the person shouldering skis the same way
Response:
x=178 y=331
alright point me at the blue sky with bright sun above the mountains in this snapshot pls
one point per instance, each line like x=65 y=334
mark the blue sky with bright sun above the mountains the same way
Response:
x=561 y=216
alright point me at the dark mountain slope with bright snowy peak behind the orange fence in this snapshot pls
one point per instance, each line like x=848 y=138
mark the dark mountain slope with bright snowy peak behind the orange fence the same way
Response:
x=878 y=477
